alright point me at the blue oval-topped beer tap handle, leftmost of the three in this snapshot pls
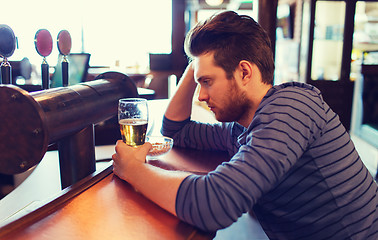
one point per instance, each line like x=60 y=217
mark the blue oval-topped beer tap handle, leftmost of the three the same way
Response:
x=7 y=47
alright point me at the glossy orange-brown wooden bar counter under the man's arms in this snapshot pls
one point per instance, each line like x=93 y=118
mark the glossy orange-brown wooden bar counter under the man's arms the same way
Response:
x=102 y=206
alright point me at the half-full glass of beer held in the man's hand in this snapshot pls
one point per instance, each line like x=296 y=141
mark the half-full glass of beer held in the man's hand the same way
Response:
x=133 y=120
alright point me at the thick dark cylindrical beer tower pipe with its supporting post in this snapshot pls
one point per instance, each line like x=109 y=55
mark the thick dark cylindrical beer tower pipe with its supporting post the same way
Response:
x=65 y=115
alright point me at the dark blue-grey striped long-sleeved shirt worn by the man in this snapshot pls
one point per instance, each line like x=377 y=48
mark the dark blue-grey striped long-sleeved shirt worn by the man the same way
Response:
x=295 y=167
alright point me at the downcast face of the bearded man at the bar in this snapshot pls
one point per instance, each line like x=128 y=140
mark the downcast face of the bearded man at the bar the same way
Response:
x=223 y=96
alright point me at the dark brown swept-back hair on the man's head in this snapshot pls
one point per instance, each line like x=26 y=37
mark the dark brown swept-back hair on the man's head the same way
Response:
x=232 y=38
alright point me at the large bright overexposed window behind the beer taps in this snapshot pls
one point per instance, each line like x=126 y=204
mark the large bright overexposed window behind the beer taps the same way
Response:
x=114 y=32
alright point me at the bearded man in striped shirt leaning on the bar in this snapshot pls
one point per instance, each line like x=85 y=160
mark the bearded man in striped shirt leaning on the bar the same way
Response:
x=293 y=164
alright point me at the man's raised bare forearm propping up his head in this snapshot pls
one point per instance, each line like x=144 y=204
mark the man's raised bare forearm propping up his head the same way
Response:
x=180 y=106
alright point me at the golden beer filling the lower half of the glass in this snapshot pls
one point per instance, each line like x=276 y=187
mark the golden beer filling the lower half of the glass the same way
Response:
x=133 y=131
